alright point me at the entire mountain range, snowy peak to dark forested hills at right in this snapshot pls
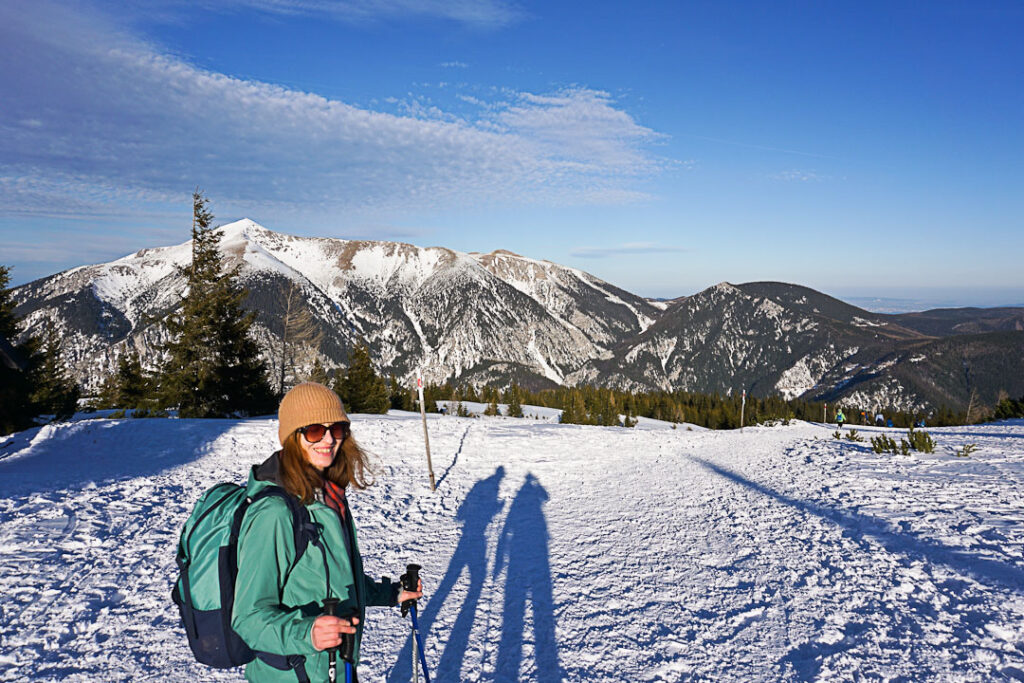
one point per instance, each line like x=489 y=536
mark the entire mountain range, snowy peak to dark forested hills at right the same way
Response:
x=498 y=318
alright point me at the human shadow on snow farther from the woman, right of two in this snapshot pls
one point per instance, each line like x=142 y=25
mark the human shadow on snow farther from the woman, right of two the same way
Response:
x=523 y=546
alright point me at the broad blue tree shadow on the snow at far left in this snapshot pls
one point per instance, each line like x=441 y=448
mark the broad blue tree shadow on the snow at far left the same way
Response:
x=104 y=451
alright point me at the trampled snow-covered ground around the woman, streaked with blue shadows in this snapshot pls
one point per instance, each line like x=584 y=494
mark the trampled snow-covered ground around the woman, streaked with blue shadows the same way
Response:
x=551 y=552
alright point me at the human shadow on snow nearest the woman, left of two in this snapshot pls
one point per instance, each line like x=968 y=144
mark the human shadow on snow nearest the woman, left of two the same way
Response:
x=477 y=511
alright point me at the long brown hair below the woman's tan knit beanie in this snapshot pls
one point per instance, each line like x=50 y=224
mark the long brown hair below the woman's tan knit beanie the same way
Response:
x=302 y=480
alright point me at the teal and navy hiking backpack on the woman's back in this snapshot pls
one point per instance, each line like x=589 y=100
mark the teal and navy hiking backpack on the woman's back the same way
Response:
x=207 y=562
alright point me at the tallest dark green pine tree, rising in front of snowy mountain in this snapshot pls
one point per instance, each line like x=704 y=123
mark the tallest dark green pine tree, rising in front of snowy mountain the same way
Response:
x=214 y=367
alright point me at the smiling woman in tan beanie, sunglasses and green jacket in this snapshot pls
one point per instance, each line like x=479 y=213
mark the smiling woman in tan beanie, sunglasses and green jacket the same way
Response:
x=278 y=601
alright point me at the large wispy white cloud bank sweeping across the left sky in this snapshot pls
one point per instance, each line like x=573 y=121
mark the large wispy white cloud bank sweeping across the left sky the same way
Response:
x=96 y=121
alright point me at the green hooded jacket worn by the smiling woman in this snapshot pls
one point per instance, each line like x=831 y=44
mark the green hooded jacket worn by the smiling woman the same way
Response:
x=277 y=600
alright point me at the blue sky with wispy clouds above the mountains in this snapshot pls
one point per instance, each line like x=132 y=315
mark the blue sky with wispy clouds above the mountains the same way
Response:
x=863 y=149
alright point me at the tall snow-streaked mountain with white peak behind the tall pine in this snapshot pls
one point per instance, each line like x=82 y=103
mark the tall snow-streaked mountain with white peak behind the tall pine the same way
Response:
x=479 y=318
